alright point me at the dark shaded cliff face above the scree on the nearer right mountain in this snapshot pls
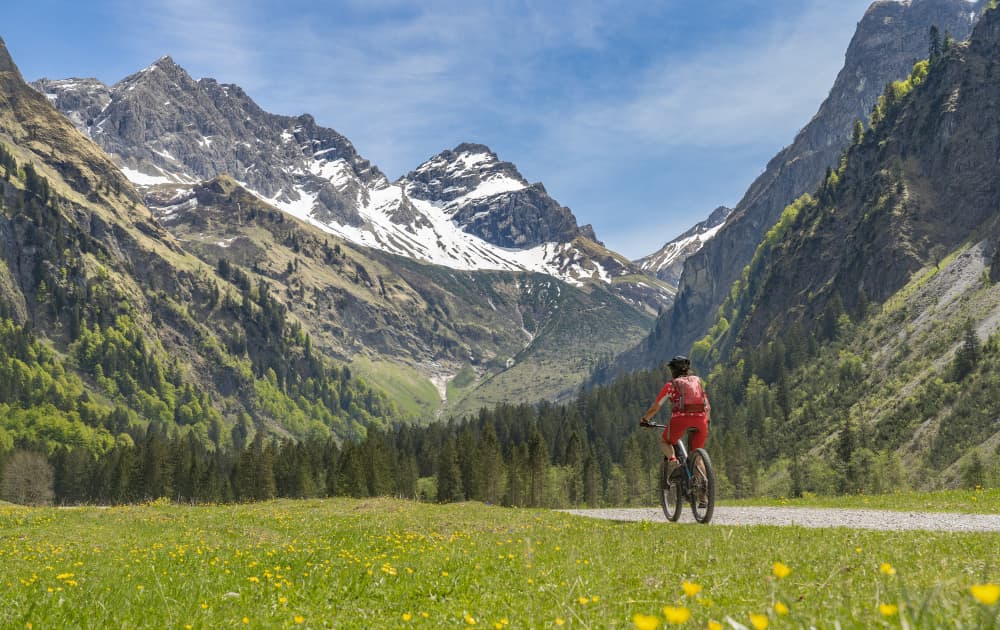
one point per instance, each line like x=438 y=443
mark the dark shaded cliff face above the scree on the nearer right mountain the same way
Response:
x=917 y=187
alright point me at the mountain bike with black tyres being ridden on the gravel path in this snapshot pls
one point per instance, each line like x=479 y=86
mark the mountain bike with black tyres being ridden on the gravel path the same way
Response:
x=692 y=480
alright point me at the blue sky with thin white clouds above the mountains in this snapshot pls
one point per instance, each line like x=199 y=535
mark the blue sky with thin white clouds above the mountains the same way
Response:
x=640 y=116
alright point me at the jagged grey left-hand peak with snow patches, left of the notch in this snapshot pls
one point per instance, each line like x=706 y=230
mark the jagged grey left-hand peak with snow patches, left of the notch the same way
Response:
x=165 y=127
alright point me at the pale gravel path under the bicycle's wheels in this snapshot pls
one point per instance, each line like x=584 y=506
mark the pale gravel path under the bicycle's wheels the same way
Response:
x=812 y=517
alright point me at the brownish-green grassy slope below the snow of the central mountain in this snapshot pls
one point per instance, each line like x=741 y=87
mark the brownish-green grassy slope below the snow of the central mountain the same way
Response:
x=405 y=324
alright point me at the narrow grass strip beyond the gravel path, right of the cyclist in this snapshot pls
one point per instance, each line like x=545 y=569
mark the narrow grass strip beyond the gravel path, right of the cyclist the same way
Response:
x=980 y=501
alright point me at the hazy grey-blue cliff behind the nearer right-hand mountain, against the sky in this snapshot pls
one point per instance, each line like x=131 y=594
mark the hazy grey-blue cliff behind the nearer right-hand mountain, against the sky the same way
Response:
x=889 y=39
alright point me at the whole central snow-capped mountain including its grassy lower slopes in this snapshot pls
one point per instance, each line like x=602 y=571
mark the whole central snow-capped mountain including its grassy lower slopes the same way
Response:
x=454 y=285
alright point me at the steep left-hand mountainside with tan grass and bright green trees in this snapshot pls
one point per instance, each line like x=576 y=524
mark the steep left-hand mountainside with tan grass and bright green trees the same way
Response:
x=111 y=327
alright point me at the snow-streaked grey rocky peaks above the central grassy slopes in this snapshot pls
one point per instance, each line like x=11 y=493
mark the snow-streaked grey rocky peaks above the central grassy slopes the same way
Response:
x=464 y=208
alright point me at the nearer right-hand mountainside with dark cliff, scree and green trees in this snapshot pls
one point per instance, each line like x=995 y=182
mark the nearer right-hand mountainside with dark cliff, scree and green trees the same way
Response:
x=861 y=343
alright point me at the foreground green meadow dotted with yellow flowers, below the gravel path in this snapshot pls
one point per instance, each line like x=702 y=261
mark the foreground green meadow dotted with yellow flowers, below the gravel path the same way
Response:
x=395 y=564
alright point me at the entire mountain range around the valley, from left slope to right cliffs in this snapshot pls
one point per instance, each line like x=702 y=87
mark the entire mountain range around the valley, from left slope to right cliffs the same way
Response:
x=215 y=272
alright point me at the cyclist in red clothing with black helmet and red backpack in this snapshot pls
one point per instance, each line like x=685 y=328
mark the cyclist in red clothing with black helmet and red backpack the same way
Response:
x=689 y=407
